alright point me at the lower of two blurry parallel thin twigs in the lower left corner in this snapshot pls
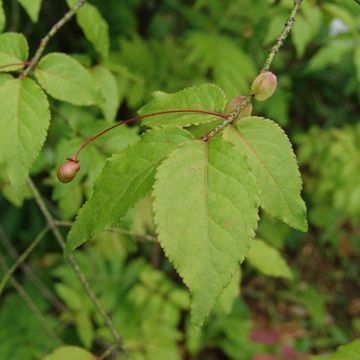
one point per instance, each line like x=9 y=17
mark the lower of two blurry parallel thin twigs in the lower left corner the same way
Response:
x=32 y=306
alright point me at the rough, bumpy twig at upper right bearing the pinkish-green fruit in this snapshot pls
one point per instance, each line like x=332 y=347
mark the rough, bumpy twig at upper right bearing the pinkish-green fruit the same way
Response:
x=267 y=64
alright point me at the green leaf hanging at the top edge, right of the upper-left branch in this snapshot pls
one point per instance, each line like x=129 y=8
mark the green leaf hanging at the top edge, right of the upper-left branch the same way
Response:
x=94 y=26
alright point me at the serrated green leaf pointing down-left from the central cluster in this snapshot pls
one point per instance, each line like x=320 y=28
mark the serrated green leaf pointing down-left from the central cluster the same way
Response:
x=126 y=178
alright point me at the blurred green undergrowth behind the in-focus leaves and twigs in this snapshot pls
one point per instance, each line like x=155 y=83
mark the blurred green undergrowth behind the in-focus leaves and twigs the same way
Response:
x=303 y=296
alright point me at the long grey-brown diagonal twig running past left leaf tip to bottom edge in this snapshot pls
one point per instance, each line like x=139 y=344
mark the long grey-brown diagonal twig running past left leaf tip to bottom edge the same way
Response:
x=74 y=264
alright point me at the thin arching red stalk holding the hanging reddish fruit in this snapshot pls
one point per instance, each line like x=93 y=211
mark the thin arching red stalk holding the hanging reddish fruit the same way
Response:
x=75 y=156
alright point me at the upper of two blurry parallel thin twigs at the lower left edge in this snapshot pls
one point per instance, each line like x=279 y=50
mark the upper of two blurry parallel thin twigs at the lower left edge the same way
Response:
x=30 y=274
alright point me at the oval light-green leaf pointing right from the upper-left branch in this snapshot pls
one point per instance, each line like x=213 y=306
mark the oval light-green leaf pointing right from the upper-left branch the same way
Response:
x=66 y=79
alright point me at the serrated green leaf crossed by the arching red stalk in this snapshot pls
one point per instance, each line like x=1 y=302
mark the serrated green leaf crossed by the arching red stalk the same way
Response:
x=206 y=97
